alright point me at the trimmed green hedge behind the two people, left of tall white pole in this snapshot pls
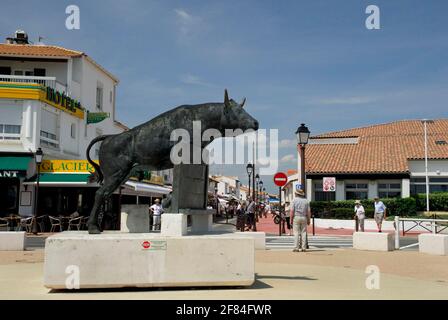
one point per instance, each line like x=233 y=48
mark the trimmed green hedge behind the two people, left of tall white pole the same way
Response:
x=345 y=209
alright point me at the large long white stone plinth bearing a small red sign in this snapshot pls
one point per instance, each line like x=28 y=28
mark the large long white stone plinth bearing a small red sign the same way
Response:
x=117 y=260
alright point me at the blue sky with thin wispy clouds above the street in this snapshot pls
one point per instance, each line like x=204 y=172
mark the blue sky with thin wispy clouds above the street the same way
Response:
x=311 y=62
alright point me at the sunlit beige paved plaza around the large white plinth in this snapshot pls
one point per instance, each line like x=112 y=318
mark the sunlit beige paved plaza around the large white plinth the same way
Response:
x=321 y=273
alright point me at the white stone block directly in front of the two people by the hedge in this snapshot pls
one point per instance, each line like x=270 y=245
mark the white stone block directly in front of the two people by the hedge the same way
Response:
x=375 y=241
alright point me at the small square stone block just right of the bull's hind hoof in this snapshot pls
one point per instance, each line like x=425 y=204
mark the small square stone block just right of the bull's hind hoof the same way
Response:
x=134 y=218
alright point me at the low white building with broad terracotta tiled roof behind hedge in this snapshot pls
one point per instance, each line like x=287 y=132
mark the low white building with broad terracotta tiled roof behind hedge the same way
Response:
x=385 y=160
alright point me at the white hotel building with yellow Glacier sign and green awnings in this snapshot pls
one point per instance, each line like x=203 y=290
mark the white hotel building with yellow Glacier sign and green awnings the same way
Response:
x=58 y=100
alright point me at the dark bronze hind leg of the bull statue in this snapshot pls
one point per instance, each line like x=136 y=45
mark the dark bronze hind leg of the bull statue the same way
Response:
x=111 y=183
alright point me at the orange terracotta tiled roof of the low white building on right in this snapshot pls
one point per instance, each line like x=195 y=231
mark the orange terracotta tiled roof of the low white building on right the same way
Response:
x=384 y=148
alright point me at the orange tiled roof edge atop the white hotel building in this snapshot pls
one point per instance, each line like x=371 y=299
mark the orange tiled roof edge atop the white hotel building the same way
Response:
x=28 y=50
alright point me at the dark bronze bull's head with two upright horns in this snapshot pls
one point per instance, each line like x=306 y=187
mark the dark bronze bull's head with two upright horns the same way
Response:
x=235 y=116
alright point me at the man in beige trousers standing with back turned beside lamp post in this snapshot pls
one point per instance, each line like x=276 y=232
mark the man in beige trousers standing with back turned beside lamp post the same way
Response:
x=300 y=215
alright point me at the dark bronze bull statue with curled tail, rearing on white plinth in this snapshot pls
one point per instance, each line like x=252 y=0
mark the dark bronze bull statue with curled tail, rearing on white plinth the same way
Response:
x=149 y=145
